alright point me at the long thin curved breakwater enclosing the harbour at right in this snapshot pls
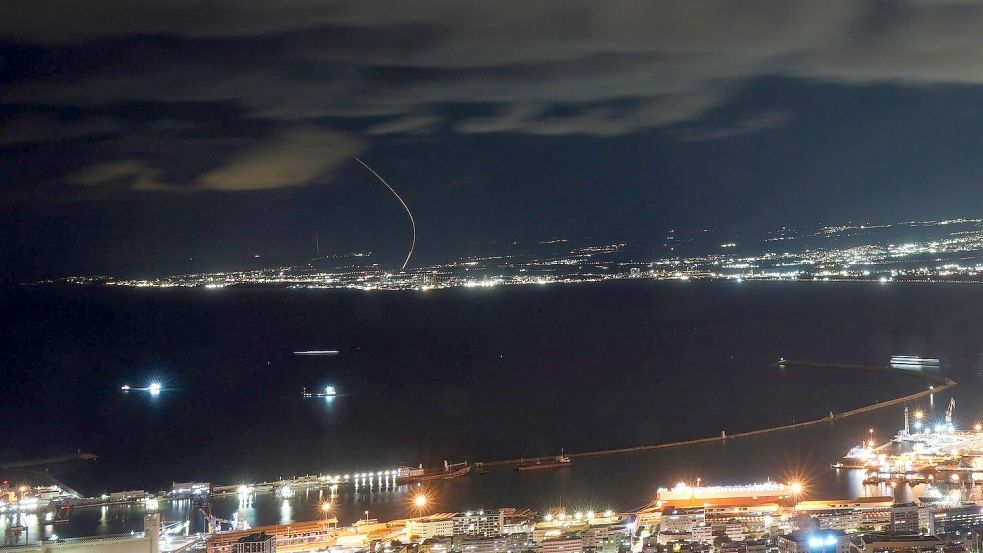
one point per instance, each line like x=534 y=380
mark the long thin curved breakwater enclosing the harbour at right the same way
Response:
x=938 y=383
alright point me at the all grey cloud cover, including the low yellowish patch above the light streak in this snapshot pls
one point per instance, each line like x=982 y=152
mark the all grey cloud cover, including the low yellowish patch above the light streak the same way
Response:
x=571 y=67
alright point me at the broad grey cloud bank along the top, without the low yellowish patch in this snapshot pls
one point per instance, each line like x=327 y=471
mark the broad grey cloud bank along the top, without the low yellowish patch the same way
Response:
x=307 y=60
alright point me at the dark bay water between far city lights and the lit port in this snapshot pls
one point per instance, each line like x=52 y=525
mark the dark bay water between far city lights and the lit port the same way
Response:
x=463 y=374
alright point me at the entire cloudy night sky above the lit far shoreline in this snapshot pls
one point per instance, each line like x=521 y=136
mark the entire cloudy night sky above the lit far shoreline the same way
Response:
x=134 y=134
